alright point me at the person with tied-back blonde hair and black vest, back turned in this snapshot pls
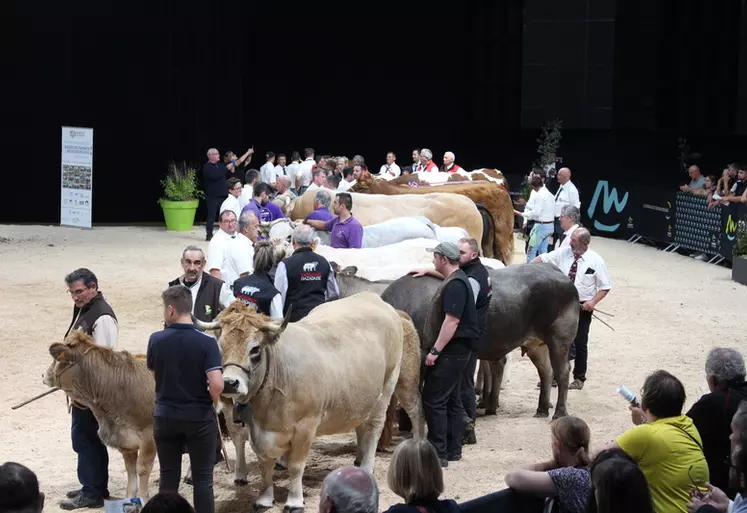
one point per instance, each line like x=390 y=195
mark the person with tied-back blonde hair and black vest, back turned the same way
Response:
x=257 y=289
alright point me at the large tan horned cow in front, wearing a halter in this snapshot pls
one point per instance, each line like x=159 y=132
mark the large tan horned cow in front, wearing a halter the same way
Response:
x=333 y=371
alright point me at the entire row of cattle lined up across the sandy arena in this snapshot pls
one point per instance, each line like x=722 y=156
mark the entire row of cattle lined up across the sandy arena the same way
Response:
x=346 y=365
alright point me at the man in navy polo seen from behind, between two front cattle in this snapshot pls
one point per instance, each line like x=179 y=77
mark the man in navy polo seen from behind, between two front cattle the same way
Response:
x=189 y=380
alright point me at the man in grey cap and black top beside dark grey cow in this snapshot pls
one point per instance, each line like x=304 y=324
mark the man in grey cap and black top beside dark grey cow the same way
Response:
x=454 y=316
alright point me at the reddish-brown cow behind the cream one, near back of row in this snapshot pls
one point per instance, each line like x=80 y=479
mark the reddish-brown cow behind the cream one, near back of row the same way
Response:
x=497 y=240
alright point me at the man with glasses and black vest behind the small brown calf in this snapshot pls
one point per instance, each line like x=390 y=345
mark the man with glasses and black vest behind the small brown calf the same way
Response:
x=93 y=315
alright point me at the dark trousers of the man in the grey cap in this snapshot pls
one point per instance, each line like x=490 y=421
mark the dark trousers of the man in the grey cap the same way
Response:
x=442 y=404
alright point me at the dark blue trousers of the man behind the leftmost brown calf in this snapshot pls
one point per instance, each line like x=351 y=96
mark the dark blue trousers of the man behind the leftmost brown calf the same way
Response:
x=93 y=458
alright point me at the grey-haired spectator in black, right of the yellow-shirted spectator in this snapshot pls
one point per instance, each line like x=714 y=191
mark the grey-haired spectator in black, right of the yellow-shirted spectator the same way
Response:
x=712 y=414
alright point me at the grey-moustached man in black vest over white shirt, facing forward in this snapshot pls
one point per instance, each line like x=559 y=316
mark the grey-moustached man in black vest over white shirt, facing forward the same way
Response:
x=210 y=295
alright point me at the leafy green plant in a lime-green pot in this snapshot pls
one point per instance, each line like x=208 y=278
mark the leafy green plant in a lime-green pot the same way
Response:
x=181 y=195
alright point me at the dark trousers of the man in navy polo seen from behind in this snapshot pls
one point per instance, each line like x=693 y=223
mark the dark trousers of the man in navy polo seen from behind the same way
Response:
x=200 y=438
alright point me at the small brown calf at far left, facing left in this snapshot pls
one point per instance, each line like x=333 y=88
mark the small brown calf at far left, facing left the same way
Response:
x=120 y=391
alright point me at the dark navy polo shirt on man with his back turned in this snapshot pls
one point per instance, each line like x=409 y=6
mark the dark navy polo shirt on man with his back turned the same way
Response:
x=181 y=356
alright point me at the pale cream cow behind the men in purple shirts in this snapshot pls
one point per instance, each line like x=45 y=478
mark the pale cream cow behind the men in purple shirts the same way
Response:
x=443 y=209
